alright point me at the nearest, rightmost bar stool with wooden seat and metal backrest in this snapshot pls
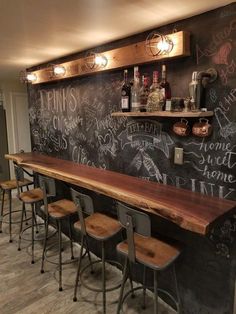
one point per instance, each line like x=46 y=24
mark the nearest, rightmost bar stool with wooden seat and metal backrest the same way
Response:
x=143 y=249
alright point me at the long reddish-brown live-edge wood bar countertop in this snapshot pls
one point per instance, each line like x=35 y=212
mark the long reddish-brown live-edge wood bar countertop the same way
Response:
x=190 y=210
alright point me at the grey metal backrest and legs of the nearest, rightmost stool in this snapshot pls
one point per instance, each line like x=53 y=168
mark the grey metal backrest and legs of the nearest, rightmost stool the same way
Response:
x=135 y=221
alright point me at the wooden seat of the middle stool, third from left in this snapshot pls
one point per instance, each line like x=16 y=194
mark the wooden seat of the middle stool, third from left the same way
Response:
x=61 y=208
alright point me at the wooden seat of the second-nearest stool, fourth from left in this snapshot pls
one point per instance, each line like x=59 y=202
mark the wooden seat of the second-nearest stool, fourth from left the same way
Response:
x=99 y=226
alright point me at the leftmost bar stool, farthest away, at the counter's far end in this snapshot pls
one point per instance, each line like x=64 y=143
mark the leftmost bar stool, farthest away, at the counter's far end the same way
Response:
x=7 y=187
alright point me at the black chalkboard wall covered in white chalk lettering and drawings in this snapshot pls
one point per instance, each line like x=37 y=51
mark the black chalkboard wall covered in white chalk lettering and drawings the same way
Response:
x=71 y=119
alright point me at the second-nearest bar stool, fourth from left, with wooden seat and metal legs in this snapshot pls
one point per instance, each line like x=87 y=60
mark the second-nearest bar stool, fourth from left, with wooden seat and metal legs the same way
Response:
x=99 y=227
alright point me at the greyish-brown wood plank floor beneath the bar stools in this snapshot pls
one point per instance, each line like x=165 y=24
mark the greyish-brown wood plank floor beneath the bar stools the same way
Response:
x=24 y=290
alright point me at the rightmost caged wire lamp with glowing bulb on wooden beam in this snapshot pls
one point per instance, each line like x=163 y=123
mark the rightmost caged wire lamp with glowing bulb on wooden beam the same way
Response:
x=157 y=44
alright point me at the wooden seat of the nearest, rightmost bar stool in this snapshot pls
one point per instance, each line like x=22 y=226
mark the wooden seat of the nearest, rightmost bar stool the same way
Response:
x=151 y=252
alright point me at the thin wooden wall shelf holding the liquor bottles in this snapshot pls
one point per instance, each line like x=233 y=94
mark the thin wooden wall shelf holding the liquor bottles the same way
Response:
x=167 y=114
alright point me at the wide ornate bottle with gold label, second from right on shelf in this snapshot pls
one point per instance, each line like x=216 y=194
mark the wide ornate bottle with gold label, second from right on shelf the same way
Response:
x=155 y=100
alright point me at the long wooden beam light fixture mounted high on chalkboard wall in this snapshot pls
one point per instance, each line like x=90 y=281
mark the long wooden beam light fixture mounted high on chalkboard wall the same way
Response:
x=126 y=56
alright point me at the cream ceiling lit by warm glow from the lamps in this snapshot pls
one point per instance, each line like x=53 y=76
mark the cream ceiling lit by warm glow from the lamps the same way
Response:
x=36 y=31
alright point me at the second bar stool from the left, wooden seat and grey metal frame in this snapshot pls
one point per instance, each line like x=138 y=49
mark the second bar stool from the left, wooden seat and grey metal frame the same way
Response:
x=30 y=197
